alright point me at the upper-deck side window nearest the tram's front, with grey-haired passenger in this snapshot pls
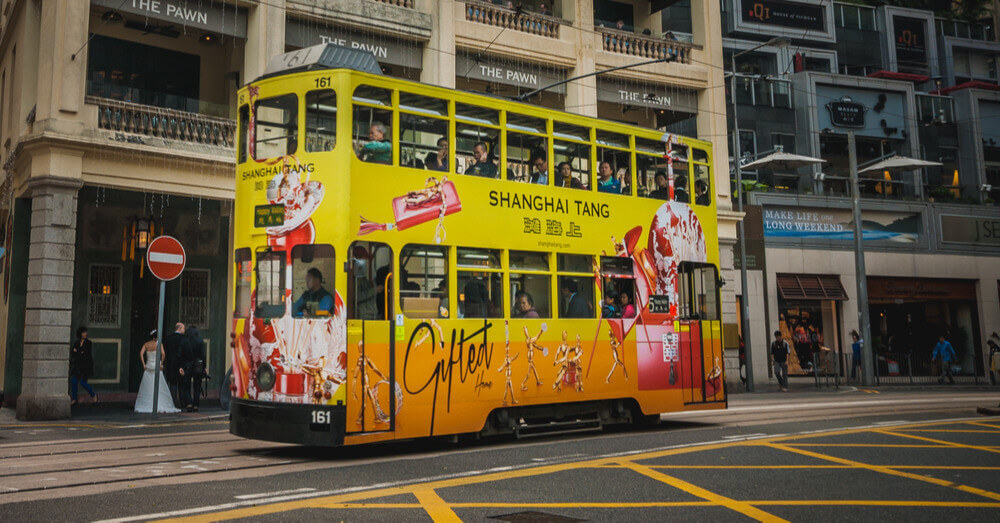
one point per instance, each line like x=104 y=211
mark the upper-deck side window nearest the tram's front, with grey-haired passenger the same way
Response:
x=372 y=133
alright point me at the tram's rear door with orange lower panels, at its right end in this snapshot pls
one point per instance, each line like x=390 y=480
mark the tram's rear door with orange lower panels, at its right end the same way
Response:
x=700 y=333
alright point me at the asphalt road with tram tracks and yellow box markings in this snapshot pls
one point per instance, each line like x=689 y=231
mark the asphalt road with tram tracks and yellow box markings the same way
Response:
x=893 y=456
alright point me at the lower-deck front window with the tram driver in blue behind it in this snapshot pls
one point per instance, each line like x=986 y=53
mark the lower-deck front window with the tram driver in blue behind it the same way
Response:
x=312 y=272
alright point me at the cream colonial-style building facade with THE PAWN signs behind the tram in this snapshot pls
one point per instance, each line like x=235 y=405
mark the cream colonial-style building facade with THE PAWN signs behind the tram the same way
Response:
x=117 y=124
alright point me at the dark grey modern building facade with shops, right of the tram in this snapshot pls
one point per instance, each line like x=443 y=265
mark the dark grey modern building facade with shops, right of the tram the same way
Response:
x=904 y=82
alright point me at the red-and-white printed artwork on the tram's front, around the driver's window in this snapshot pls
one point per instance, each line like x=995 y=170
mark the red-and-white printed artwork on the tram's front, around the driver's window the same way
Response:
x=298 y=355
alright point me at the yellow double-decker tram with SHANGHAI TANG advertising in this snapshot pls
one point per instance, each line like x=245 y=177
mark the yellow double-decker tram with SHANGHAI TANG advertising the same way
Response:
x=417 y=261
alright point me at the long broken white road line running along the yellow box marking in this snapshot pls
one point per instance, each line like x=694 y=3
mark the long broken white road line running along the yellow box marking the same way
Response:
x=361 y=488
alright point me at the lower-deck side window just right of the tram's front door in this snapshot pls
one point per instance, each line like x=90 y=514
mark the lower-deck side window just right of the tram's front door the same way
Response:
x=423 y=282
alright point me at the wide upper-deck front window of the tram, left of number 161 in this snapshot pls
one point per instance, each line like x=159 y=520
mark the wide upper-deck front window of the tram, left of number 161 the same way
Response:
x=275 y=127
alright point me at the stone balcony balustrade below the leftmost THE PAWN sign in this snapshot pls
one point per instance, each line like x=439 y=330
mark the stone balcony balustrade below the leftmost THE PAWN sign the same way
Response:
x=170 y=124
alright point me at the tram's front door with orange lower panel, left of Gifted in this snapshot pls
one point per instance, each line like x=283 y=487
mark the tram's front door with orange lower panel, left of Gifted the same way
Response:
x=372 y=400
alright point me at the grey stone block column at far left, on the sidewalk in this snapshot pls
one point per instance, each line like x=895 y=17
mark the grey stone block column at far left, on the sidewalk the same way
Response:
x=48 y=309
